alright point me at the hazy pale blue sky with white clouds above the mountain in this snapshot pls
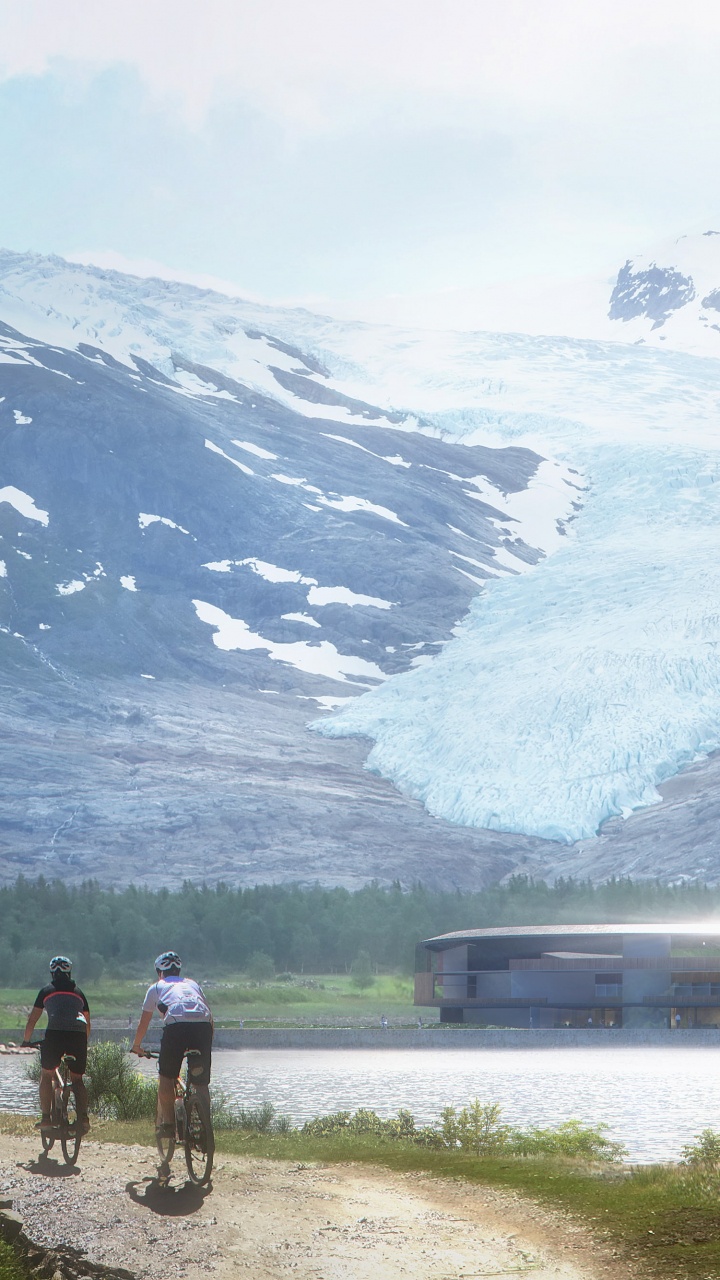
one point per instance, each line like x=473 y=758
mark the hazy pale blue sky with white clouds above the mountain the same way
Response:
x=362 y=157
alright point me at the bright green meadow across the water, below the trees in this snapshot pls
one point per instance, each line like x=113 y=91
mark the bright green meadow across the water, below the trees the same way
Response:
x=308 y=1000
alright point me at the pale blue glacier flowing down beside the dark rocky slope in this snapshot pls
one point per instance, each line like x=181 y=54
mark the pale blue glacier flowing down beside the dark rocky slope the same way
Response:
x=571 y=693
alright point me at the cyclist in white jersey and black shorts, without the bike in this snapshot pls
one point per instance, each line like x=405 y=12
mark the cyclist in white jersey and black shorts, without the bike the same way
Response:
x=188 y=1025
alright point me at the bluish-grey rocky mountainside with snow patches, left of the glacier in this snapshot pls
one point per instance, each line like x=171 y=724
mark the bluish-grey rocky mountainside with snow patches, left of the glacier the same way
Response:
x=190 y=572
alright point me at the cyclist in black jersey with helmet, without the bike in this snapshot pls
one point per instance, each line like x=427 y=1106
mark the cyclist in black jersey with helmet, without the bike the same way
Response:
x=69 y=1030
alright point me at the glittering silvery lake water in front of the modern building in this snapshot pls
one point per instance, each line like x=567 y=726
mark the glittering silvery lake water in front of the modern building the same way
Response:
x=654 y=1100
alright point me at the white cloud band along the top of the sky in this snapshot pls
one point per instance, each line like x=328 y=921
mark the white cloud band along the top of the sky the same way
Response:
x=318 y=65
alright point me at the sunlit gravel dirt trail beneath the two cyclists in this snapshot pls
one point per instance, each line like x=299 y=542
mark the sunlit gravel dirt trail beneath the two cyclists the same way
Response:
x=274 y=1220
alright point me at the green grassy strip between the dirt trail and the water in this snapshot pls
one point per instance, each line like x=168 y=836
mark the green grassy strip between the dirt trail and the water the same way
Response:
x=664 y=1218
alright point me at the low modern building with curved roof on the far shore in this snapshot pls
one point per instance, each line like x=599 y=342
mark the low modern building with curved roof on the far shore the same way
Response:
x=575 y=976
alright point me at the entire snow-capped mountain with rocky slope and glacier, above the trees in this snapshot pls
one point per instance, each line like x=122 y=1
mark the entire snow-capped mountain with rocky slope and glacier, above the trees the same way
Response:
x=258 y=508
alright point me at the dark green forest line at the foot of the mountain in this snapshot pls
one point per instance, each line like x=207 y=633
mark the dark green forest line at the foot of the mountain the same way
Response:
x=304 y=930
